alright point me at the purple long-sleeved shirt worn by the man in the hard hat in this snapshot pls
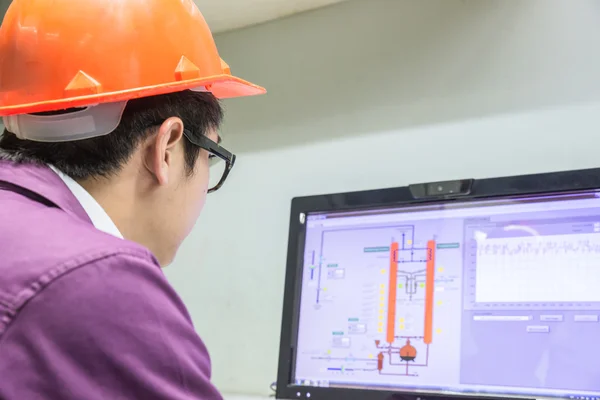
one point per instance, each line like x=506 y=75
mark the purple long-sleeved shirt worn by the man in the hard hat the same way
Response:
x=83 y=314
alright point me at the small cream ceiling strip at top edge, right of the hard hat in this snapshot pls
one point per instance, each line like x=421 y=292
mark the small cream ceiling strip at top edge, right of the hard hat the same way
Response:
x=224 y=15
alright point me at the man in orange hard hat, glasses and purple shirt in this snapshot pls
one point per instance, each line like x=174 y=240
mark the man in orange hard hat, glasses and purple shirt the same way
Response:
x=111 y=117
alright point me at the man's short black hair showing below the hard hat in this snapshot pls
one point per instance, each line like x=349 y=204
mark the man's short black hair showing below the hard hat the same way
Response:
x=105 y=155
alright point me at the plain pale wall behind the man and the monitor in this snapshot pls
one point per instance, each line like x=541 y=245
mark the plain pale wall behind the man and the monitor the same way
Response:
x=378 y=93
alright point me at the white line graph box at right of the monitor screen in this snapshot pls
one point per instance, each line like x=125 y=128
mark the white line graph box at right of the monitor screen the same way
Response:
x=533 y=269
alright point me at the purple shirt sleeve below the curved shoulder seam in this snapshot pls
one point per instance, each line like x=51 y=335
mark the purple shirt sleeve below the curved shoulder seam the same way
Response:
x=111 y=327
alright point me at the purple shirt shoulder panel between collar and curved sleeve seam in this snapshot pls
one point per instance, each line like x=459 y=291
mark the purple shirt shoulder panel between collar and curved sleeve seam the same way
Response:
x=45 y=245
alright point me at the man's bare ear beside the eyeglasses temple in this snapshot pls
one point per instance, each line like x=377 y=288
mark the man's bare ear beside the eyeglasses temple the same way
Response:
x=159 y=156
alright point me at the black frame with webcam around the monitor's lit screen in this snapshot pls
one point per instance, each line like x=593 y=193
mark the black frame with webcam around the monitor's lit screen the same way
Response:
x=492 y=188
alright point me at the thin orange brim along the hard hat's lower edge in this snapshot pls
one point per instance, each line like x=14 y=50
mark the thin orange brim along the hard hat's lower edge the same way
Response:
x=221 y=86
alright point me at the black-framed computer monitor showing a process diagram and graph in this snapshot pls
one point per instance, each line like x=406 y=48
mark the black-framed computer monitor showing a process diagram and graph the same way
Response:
x=489 y=289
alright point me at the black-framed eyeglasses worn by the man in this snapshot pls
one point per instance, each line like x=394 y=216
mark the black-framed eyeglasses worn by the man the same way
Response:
x=221 y=161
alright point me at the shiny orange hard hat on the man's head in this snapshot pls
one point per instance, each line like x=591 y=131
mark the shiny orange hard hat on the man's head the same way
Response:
x=60 y=54
